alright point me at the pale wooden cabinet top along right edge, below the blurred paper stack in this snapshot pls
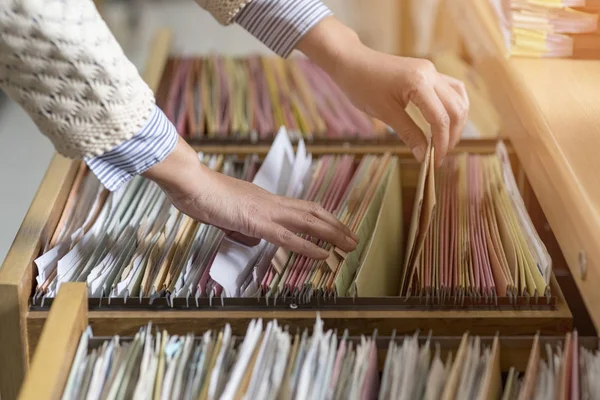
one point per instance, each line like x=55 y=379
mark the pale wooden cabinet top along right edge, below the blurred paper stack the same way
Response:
x=557 y=140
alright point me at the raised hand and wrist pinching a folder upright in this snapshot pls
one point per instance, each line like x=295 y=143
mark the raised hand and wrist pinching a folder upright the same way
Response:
x=382 y=85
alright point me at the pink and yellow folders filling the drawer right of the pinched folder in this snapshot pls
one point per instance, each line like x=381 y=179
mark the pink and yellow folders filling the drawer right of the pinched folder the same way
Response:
x=471 y=236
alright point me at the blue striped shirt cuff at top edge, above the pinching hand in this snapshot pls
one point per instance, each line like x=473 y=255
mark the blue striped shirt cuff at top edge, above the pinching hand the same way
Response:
x=280 y=24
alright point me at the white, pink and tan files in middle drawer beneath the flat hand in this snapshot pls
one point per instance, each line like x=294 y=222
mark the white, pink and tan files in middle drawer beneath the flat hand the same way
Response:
x=134 y=243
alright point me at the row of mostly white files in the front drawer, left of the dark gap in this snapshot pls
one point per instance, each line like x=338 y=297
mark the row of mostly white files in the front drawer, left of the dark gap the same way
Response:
x=269 y=362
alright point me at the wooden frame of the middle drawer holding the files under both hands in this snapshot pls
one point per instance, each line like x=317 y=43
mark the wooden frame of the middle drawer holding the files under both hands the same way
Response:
x=21 y=328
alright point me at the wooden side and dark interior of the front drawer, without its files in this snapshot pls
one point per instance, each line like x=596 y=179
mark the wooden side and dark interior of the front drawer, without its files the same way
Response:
x=519 y=356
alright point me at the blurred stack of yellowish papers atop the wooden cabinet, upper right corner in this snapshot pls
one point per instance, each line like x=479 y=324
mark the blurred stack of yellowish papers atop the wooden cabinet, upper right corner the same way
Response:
x=548 y=28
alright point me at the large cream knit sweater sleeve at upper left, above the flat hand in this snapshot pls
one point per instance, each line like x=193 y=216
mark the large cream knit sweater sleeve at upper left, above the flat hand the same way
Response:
x=60 y=62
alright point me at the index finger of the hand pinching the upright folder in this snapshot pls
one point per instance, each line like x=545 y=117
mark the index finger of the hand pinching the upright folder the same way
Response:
x=432 y=108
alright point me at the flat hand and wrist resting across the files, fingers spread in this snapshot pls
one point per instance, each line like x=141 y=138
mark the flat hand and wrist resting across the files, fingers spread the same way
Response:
x=243 y=210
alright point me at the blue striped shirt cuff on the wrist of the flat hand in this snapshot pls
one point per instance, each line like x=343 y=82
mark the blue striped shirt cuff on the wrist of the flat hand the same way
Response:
x=147 y=148
